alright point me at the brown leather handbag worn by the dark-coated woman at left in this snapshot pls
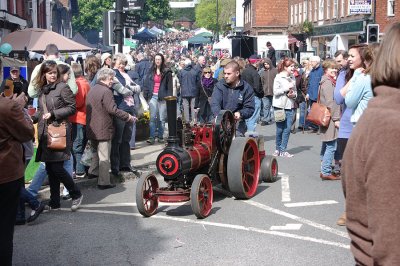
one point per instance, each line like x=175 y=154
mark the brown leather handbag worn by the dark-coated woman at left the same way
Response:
x=56 y=132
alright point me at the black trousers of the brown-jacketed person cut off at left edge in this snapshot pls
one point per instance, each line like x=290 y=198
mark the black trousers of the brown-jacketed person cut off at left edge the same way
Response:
x=9 y=197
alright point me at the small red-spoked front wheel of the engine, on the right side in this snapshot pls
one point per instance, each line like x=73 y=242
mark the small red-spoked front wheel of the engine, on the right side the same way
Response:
x=201 y=196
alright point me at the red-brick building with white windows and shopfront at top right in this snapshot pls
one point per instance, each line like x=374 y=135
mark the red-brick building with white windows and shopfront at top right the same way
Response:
x=335 y=22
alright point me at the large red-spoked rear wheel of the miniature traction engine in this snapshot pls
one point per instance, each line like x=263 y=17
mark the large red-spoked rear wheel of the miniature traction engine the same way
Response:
x=243 y=167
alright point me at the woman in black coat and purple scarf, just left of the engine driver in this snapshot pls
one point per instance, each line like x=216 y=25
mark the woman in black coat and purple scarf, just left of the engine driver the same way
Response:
x=204 y=98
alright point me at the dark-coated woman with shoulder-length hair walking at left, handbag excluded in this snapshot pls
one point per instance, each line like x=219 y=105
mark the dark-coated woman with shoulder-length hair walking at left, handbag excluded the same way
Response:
x=60 y=104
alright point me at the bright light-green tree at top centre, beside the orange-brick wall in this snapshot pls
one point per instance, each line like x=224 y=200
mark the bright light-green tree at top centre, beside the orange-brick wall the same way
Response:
x=206 y=13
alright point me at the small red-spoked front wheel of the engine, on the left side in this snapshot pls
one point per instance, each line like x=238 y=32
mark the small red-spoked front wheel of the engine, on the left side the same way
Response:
x=146 y=198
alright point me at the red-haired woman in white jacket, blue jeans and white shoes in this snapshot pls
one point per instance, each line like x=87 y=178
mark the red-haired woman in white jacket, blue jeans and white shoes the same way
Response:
x=285 y=94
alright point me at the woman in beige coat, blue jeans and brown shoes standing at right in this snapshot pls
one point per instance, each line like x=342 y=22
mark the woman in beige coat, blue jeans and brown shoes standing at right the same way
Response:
x=329 y=133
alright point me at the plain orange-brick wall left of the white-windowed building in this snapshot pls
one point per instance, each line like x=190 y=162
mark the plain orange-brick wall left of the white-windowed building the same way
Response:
x=263 y=17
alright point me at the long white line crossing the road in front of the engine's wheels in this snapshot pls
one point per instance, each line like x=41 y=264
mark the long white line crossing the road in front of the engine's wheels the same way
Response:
x=223 y=225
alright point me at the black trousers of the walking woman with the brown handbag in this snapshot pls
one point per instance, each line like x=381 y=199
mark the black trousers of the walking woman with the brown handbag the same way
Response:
x=57 y=174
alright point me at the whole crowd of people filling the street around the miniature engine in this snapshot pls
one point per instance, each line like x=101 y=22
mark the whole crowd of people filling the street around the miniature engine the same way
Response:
x=100 y=102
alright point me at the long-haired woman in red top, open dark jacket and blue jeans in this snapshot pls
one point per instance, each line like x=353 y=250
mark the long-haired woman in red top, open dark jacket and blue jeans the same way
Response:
x=157 y=85
